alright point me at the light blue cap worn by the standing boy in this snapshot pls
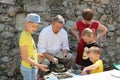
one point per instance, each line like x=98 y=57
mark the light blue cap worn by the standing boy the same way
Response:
x=32 y=17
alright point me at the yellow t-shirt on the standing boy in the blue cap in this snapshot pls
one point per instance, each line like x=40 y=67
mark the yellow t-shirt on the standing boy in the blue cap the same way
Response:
x=27 y=40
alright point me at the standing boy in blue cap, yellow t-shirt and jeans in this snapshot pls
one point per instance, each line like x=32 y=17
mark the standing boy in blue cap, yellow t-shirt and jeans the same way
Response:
x=29 y=65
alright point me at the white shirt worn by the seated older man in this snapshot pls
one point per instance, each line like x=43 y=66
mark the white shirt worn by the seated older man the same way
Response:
x=52 y=43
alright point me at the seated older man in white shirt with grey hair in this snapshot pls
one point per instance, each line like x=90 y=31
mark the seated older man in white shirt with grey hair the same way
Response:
x=53 y=43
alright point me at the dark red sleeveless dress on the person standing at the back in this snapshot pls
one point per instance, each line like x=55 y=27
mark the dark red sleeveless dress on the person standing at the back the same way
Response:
x=81 y=26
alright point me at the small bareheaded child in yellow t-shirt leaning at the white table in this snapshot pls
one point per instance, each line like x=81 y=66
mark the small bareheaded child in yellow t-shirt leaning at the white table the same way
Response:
x=97 y=66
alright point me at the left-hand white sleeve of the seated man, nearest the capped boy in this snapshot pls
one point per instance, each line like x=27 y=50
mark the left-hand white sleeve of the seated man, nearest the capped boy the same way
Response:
x=41 y=46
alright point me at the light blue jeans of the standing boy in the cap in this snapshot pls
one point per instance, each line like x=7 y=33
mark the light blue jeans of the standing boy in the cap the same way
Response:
x=29 y=73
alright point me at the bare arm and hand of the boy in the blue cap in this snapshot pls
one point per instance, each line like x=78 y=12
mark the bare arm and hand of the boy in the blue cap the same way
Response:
x=24 y=56
